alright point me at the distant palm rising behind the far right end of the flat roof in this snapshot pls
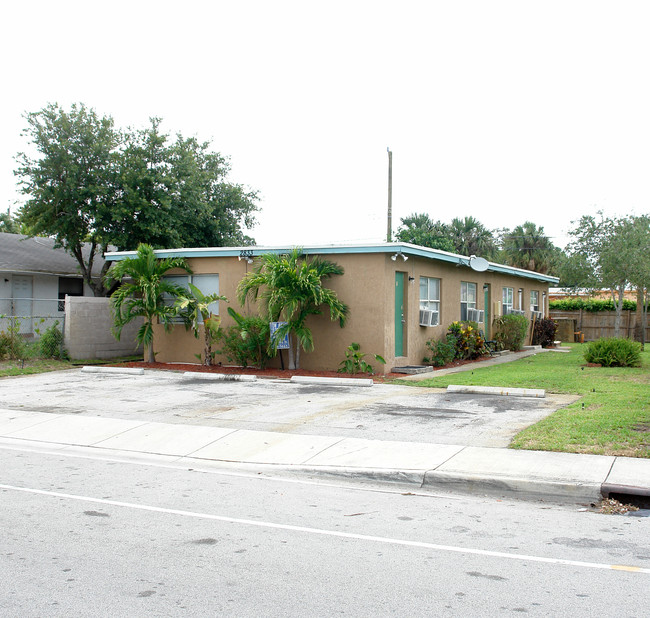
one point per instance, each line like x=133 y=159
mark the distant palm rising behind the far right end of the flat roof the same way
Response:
x=526 y=246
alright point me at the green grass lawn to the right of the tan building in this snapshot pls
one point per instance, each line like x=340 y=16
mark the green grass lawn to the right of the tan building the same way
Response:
x=611 y=418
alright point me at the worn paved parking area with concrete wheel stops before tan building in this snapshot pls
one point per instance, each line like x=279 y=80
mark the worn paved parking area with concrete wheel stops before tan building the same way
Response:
x=380 y=412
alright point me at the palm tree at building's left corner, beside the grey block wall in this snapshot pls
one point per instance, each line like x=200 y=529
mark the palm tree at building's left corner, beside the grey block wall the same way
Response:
x=145 y=294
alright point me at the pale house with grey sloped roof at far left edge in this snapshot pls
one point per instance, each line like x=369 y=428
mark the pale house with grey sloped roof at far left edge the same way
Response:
x=35 y=279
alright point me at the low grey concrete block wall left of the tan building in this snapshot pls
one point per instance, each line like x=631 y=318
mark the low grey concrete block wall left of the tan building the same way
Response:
x=89 y=330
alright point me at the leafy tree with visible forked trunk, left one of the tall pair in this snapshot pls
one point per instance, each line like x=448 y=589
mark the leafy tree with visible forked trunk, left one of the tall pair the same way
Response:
x=71 y=181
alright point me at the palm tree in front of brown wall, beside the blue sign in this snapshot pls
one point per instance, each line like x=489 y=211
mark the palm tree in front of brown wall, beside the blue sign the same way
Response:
x=291 y=289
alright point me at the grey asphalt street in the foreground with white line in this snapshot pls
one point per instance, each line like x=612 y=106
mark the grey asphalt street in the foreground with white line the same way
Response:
x=88 y=537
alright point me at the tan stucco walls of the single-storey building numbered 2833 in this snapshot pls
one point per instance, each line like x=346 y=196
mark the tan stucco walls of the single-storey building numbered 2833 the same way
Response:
x=368 y=287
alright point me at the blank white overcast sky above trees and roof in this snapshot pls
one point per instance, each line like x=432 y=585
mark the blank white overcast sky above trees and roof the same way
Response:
x=505 y=111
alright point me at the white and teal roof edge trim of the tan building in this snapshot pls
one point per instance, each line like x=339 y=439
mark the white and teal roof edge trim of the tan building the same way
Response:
x=405 y=249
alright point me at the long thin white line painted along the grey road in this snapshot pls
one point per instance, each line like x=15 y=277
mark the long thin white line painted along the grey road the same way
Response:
x=332 y=533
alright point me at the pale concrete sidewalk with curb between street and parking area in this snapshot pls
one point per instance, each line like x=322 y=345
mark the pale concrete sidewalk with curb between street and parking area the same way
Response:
x=556 y=477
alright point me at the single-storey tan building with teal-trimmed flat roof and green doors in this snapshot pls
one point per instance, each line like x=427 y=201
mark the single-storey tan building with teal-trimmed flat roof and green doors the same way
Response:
x=400 y=295
